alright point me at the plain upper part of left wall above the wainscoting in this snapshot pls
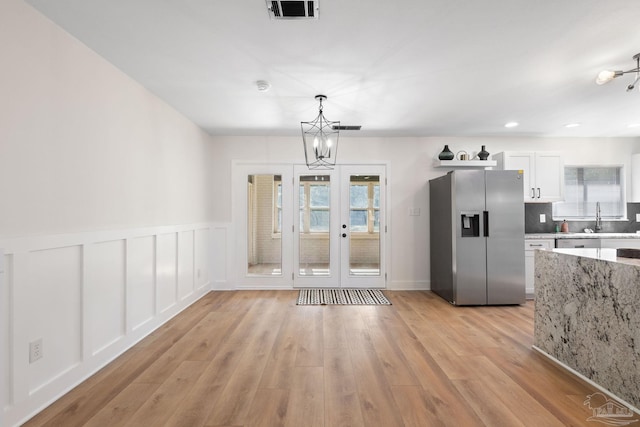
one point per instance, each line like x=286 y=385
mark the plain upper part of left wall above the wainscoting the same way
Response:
x=84 y=147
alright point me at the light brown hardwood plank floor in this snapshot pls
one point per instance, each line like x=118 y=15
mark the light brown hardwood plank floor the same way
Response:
x=254 y=358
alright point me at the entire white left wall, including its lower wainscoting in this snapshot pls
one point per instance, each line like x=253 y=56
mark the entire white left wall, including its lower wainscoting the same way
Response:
x=104 y=216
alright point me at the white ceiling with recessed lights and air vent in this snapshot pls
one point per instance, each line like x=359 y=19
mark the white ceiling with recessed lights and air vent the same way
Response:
x=398 y=68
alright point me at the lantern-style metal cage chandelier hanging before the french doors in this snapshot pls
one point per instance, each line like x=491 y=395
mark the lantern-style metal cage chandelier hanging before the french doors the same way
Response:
x=320 y=139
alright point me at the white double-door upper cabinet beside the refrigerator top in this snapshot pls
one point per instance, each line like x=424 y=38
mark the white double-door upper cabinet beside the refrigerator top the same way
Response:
x=543 y=173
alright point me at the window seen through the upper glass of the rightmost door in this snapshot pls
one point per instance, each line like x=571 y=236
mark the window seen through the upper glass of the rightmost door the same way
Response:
x=364 y=200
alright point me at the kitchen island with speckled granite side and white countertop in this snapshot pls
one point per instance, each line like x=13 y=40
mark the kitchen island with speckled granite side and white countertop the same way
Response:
x=587 y=316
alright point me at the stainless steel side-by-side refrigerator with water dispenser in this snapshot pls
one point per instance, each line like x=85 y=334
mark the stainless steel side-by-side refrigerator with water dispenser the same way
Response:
x=477 y=237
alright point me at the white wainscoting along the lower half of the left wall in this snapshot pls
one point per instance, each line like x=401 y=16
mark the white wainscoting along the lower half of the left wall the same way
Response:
x=88 y=297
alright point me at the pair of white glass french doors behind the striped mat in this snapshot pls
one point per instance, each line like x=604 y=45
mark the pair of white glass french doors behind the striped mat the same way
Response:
x=339 y=227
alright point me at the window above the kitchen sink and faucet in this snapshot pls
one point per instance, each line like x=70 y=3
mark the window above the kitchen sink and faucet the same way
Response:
x=587 y=185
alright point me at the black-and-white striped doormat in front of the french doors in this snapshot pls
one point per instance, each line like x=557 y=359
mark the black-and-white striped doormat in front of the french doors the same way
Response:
x=342 y=297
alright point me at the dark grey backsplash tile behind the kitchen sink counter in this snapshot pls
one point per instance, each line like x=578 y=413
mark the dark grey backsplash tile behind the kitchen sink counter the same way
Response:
x=532 y=222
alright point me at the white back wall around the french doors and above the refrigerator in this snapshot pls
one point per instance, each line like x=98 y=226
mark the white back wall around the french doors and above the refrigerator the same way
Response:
x=411 y=166
